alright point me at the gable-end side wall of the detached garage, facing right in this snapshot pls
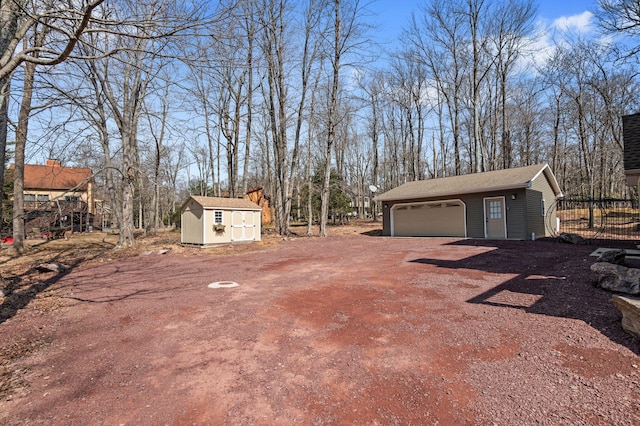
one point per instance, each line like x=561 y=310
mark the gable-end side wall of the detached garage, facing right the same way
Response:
x=541 y=189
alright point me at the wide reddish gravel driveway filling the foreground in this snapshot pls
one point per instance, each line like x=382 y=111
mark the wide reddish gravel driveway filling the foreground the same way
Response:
x=343 y=330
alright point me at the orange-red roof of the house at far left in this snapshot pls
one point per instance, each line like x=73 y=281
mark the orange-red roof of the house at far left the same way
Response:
x=55 y=177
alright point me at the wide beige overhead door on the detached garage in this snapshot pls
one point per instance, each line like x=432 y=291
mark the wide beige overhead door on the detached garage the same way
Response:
x=430 y=219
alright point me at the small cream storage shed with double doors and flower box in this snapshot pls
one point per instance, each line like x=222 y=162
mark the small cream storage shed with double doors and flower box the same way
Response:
x=214 y=220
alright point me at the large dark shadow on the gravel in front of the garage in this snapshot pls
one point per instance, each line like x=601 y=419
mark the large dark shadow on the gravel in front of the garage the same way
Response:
x=550 y=279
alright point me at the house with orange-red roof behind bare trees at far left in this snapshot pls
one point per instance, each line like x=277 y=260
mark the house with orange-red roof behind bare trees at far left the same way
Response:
x=56 y=196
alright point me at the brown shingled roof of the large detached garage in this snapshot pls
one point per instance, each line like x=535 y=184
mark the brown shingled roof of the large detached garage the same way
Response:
x=497 y=180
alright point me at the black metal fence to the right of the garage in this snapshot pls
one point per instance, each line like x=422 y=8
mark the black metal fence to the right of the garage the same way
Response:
x=600 y=220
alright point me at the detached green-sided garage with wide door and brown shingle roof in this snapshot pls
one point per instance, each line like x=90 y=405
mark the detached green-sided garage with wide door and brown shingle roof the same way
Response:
x=518 y=203
